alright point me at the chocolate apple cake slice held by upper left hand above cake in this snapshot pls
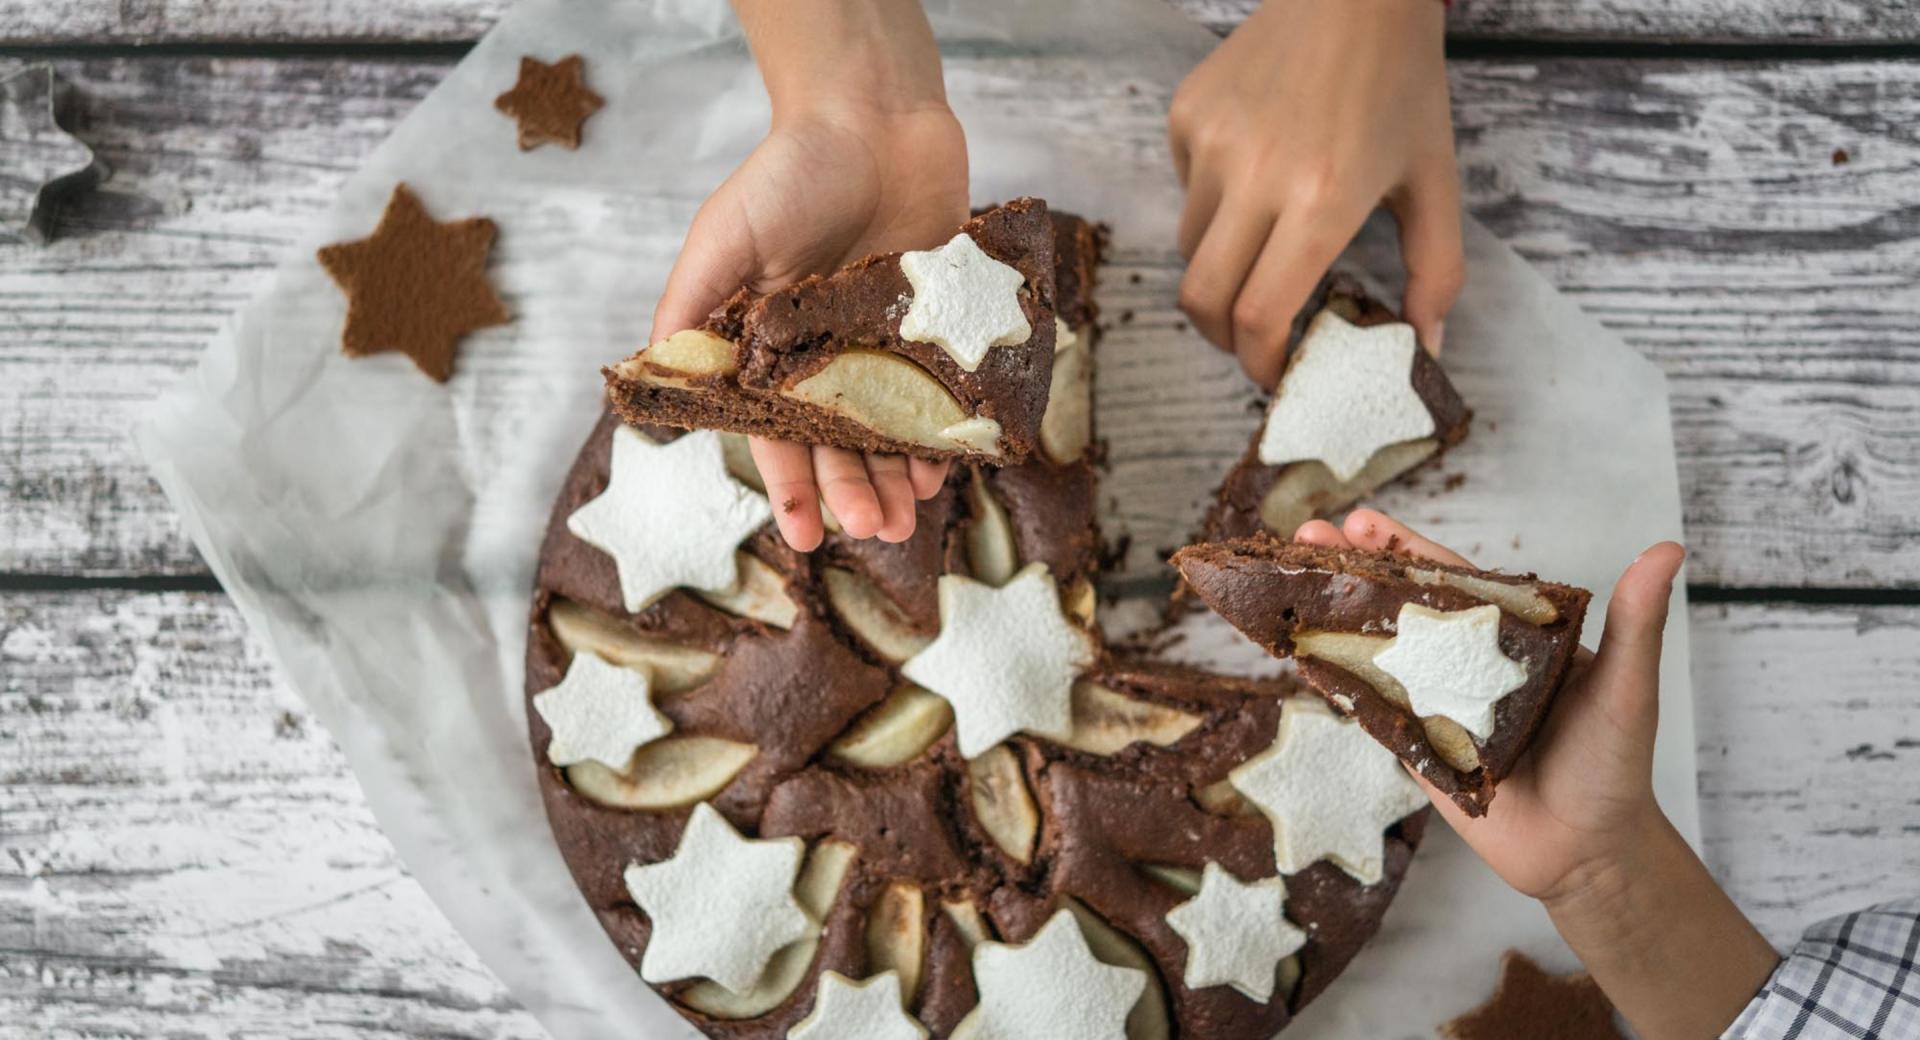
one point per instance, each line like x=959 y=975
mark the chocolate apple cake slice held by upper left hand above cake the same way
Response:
x=936 y=354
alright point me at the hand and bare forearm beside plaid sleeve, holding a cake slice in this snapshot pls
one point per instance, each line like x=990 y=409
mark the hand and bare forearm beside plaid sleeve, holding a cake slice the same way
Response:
x=1579 y=830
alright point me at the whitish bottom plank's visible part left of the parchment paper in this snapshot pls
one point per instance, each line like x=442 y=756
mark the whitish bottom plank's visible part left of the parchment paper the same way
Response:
x=185 y=855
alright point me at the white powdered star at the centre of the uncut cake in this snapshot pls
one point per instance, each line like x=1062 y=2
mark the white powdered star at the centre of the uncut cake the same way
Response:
x=1005 y=659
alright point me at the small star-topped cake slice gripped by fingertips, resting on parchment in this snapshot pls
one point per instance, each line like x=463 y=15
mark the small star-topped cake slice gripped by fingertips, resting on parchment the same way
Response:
x=1358 y=406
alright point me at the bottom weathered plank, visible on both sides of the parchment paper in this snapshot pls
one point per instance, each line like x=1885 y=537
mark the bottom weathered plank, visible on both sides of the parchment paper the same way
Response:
x=185 y=853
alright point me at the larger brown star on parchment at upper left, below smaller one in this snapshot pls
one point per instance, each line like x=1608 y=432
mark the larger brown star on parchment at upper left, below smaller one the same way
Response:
x=416 y=285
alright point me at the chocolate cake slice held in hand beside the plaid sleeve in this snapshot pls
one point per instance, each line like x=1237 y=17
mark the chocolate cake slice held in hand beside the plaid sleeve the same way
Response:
x=1485 y=659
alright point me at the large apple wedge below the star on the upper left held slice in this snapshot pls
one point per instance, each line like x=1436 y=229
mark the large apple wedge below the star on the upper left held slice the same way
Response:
x=898 y=400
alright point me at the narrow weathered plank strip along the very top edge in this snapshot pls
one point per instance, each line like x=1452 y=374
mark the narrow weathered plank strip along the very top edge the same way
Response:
x=89 y=22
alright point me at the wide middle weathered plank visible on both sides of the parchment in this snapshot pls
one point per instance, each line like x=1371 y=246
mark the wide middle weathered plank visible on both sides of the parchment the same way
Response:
x=1694 y=208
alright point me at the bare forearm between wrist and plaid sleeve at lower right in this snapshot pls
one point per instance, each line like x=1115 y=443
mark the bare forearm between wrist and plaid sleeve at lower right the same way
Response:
x=1664 y=941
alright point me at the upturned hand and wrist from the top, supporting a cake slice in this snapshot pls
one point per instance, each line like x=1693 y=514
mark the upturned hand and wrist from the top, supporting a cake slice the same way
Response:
x=863 y=156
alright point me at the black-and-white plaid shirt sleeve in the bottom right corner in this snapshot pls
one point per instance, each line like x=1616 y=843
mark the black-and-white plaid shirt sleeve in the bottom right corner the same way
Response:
x=1852 y=978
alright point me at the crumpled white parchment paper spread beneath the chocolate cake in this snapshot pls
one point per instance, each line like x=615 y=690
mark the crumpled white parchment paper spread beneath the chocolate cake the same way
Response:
x=379 y=531
